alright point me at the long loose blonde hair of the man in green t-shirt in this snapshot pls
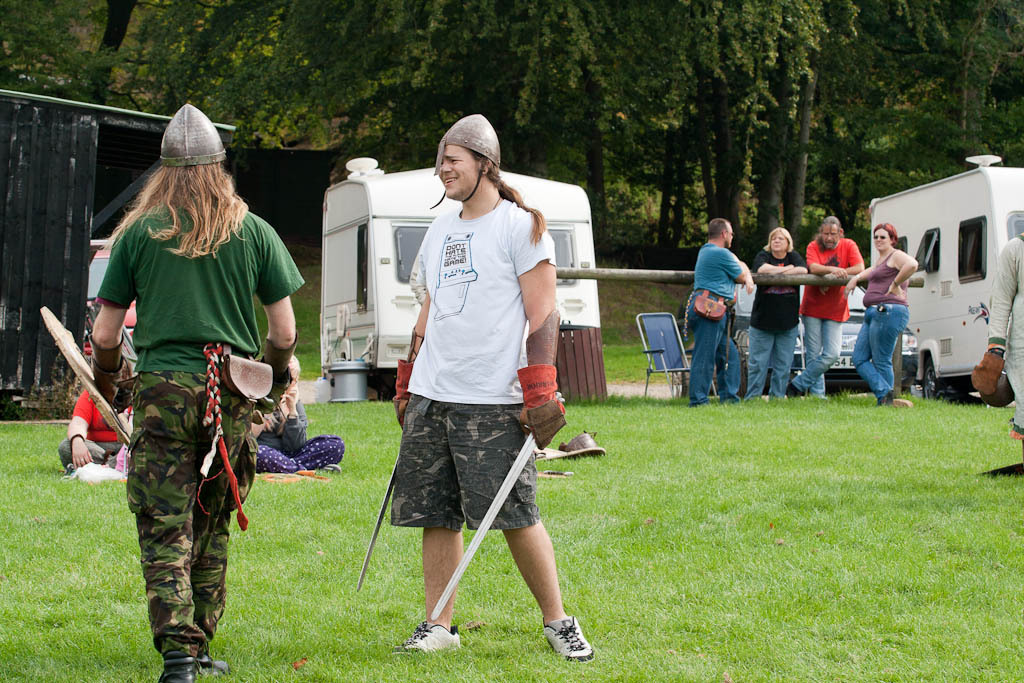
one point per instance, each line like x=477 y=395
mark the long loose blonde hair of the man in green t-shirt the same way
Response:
x=205 y=194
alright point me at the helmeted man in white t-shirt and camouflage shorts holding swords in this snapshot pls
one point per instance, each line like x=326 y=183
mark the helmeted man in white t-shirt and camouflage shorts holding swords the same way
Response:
x=463 y=406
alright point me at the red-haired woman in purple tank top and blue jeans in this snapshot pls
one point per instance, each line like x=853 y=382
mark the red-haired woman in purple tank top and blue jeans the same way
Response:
x=886 y=313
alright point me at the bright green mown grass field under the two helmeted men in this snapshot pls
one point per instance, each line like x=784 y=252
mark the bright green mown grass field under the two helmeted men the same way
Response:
x=800 y=540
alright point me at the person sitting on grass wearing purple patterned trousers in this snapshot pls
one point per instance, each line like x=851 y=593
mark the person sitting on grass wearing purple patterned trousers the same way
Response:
x=282 y=438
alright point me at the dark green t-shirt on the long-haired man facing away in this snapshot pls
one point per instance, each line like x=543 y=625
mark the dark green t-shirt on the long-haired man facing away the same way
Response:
x=185 y=304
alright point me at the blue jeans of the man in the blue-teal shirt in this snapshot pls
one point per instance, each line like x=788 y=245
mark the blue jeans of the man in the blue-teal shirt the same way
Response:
x=714 y=355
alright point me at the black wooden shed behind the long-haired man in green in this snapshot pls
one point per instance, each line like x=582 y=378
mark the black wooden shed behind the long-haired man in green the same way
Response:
x=59 y=161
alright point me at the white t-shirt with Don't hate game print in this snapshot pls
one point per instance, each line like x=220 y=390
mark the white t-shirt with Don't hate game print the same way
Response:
x=477 y=326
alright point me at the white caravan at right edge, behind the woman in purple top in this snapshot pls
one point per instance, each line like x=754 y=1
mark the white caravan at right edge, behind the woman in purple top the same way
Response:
x=956 y=228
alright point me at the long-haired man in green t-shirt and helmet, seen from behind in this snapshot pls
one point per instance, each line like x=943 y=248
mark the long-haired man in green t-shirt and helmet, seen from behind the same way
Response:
x=192 y=257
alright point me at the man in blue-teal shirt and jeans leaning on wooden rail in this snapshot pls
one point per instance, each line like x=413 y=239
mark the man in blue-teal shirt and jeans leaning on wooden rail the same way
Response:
x=717 y=272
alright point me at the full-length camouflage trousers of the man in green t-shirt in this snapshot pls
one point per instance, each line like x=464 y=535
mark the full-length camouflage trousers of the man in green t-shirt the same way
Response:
x=184 y=539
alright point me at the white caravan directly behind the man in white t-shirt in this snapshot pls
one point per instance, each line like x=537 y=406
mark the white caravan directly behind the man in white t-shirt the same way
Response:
x=373 y=226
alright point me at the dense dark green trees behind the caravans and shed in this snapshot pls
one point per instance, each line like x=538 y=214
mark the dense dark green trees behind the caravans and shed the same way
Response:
x=767 y=112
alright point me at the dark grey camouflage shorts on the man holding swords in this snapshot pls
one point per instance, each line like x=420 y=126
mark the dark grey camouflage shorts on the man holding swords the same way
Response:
x=453 y=460
